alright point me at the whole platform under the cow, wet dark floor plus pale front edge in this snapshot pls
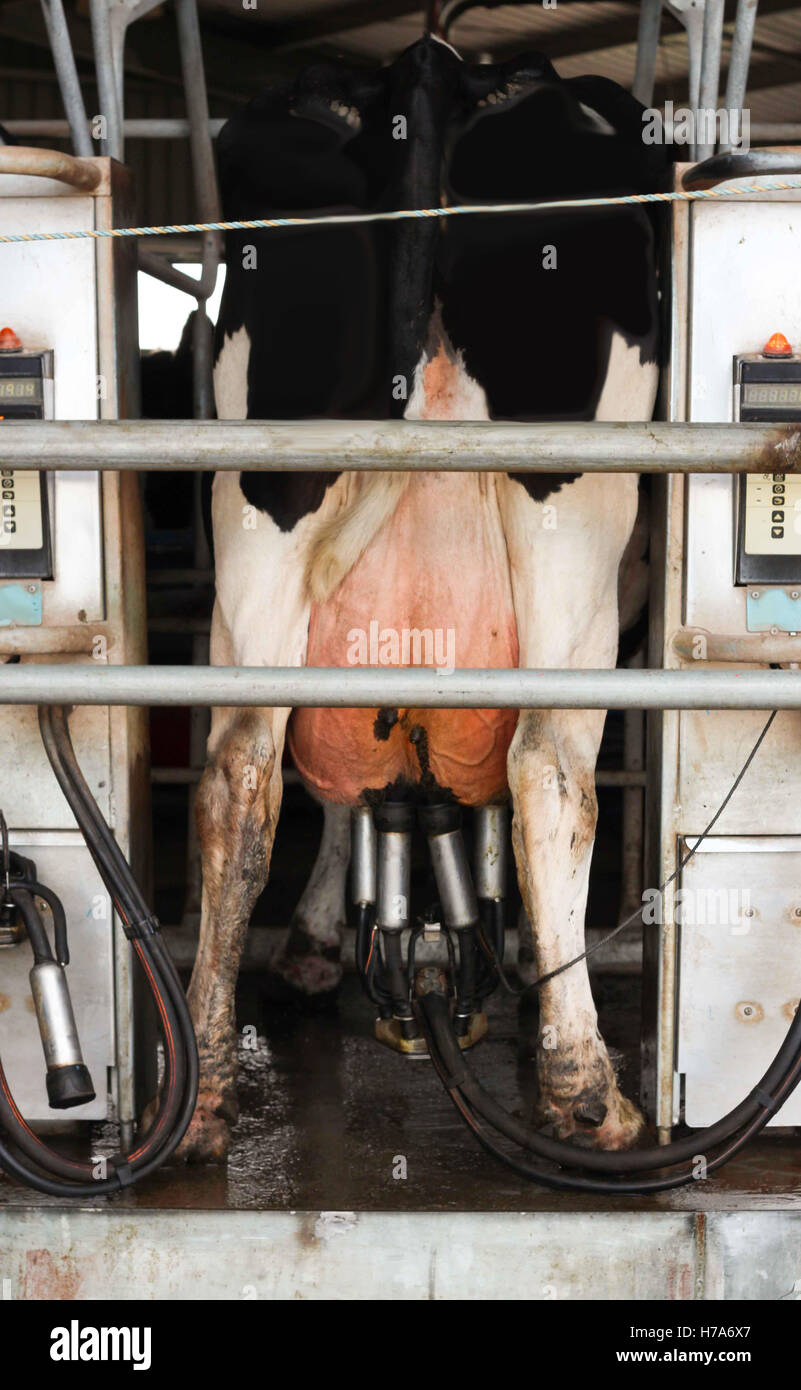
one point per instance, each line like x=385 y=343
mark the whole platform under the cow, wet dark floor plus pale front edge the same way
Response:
x=309 y=1209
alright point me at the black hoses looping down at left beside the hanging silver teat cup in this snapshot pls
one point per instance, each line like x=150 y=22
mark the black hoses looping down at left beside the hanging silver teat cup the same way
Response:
x=30 y=1159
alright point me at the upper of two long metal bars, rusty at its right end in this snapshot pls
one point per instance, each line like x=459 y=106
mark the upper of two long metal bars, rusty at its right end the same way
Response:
x=403 y=445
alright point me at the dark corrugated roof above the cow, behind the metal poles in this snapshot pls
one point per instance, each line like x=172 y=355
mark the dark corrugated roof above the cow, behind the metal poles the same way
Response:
x=244 y=48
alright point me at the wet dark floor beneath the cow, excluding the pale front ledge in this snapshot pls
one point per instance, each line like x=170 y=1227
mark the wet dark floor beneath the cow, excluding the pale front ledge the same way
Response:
x=330 y=1121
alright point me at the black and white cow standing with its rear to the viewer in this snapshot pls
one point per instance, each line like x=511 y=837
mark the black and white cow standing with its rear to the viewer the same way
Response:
x=515 y=318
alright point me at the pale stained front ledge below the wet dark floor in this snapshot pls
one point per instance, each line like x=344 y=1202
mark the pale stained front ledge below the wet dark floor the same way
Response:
x=74 y=1254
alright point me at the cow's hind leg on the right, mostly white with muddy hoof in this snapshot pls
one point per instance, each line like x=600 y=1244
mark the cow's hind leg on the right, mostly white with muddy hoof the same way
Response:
x=565 y=586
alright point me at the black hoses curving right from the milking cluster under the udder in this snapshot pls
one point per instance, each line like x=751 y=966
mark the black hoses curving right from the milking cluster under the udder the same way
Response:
x=476 y=1106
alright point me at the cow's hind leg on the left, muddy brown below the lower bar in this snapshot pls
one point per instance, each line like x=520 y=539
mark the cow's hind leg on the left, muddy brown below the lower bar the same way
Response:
x=261 y=619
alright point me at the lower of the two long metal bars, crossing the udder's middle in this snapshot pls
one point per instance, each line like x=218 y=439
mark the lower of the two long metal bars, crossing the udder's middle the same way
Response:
x=403 y=687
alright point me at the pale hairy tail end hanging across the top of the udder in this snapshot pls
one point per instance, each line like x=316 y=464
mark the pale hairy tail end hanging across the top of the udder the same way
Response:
x=343 y=541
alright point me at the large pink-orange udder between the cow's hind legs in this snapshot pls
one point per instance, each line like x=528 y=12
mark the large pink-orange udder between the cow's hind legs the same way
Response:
x=439 y=569
